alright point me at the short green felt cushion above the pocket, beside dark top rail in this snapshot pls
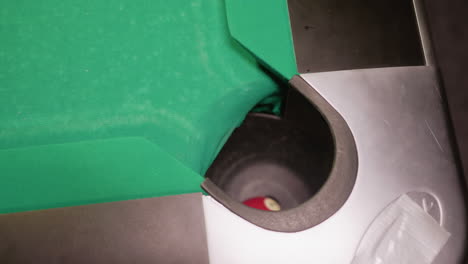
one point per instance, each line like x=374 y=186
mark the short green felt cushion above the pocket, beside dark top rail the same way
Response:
x=263 y=27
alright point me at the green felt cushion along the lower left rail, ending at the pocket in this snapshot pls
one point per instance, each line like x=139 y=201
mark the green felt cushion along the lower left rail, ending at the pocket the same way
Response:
x=90 y=172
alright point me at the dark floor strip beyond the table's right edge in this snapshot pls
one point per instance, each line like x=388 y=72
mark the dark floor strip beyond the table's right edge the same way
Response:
x=448 y=21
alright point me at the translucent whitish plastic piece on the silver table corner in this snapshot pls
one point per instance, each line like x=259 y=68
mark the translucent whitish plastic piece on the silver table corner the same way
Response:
x=403 y=233
